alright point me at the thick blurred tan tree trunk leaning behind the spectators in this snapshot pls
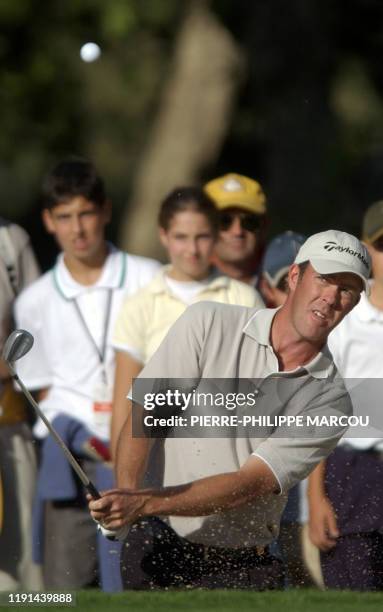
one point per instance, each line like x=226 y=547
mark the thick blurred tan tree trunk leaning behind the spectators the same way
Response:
x=191 y=123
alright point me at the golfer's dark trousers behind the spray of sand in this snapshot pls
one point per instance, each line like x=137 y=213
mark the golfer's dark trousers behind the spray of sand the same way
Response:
x=154 y=557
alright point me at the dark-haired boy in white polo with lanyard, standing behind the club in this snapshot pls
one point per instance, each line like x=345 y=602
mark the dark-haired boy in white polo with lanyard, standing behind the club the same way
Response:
x=70 y=312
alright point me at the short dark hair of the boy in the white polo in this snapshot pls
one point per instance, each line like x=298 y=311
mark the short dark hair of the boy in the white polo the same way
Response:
x=70 y=178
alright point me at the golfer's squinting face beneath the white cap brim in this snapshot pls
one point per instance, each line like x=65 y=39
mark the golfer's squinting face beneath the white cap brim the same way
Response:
x=320 y=301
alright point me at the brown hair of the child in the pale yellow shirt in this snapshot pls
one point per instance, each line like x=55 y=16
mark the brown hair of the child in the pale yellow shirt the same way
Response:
x=187 y=198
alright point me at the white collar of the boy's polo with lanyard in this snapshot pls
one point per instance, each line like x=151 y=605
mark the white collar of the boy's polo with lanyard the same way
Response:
x=112 y=275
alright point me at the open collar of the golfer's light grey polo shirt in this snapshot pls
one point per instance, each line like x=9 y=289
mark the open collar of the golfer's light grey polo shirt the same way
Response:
x=258 y=328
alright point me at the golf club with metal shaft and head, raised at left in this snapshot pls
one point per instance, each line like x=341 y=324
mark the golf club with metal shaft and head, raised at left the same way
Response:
x=17 y=345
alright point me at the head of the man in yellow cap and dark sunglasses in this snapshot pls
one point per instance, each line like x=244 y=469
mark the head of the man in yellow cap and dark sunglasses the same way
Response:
x=242 y=206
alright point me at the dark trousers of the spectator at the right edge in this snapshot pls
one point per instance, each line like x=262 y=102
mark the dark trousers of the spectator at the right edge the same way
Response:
x=354 y=485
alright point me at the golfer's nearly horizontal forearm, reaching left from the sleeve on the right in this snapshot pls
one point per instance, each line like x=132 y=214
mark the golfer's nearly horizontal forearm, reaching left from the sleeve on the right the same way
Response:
x=210 y=495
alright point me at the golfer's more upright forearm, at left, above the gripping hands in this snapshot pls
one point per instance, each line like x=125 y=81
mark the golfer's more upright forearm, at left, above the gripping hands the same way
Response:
x=131 y=457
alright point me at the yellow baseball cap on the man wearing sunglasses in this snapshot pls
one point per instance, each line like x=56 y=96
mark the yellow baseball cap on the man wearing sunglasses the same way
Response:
x=235 y=190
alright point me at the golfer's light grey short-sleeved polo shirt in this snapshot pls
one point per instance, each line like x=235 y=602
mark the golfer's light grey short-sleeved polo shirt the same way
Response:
x=213 y=340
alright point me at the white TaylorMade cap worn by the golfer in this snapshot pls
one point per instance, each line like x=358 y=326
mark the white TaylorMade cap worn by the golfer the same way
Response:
x=333 y=252
